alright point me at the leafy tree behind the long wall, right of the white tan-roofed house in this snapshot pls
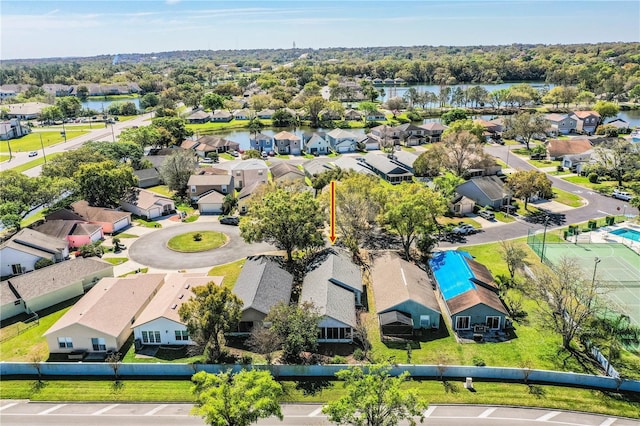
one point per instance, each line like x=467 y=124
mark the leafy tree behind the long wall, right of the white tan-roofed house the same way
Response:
x=212 y=311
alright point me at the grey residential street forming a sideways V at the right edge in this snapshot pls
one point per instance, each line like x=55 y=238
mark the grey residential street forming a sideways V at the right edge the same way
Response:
x=597 y=206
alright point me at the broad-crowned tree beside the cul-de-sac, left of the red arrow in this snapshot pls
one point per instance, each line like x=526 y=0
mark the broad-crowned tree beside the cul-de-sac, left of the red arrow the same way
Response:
x=290 y=220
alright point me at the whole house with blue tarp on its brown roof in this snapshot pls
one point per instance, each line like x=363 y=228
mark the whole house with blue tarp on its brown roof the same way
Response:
x=468 y=291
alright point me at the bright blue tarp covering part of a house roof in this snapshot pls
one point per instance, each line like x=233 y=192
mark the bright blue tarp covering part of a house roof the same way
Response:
x=452 y=272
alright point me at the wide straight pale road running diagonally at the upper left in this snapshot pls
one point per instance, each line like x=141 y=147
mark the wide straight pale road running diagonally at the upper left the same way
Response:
x=97 y=134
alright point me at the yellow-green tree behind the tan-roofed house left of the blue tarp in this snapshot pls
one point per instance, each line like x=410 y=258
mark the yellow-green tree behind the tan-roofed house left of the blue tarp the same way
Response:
x=410 y=210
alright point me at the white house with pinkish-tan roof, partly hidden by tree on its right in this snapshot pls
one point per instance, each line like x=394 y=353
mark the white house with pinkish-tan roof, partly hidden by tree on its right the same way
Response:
x=159 y=323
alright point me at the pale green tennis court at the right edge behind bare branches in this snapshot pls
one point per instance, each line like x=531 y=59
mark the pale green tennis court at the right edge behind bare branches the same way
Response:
x=615 y=265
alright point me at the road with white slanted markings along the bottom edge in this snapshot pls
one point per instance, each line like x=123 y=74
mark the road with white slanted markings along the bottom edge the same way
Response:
x=39 y=413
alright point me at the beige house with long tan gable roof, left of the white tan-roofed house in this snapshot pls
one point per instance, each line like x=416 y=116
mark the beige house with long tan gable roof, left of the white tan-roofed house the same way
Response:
x=101 y=320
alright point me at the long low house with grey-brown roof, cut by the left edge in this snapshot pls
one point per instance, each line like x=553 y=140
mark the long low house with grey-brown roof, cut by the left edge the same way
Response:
x=48 y=286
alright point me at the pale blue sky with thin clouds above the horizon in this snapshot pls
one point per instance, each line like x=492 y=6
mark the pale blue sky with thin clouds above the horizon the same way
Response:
x=40 y=29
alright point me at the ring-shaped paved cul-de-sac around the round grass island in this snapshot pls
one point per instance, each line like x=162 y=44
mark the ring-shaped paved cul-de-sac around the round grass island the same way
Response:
x=151 y=249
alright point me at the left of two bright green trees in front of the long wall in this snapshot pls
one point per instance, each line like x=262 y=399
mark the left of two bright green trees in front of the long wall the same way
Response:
x=241 y=399
